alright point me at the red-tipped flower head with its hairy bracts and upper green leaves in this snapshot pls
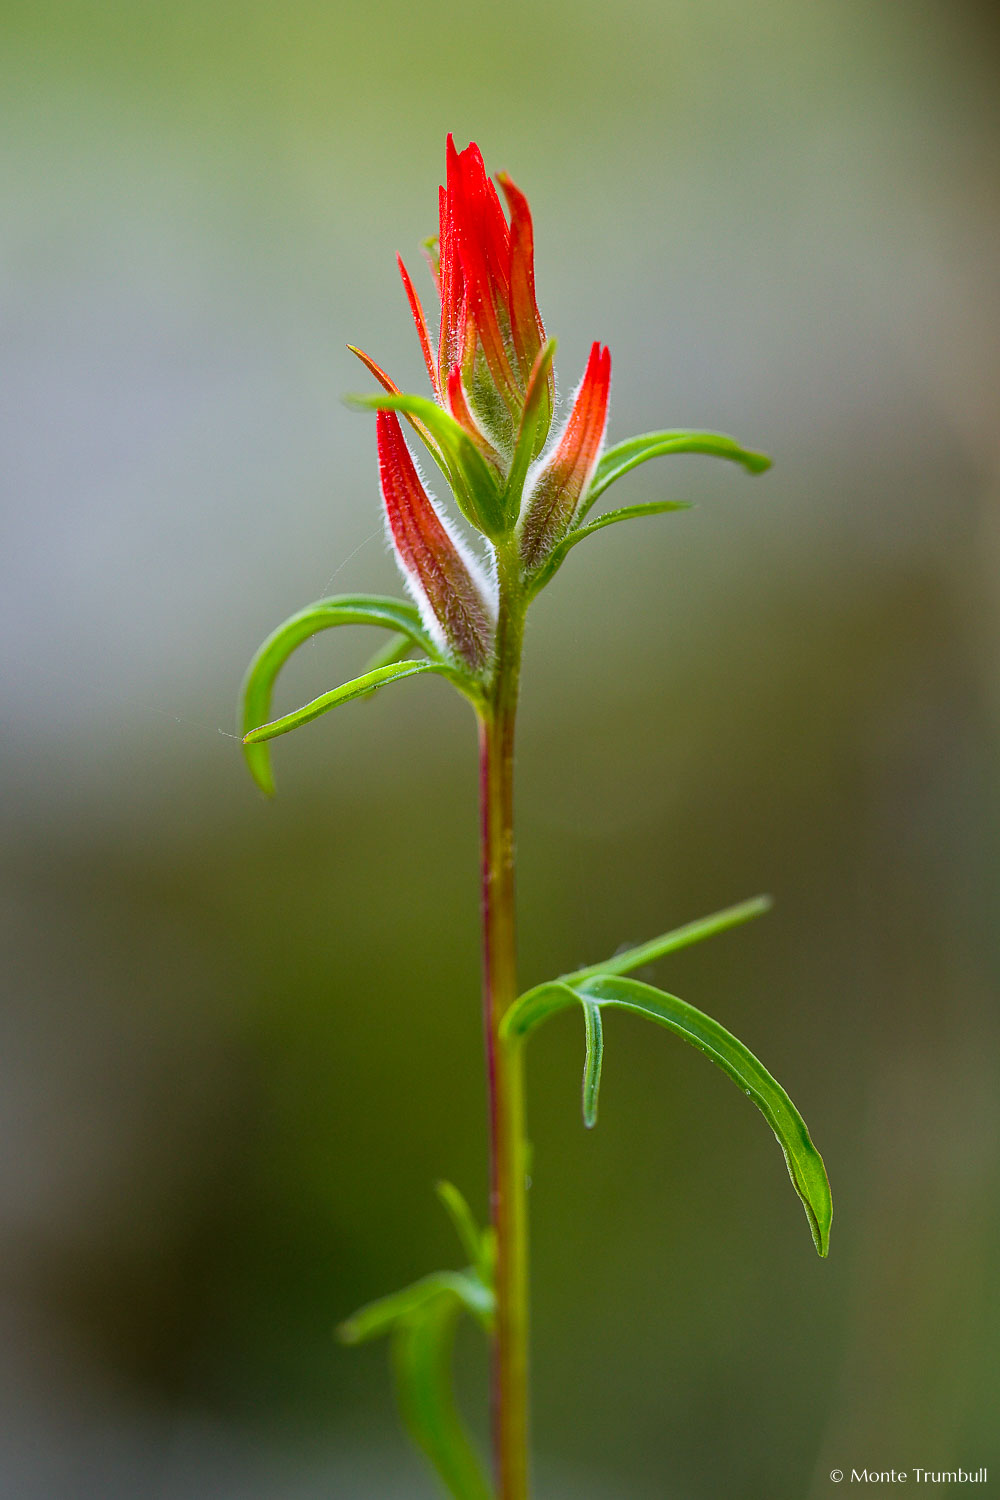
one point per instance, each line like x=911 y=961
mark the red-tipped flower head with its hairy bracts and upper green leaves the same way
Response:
x=488 y=424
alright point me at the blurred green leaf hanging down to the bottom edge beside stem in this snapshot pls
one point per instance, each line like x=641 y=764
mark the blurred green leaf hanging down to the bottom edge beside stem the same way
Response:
x=422 y=1358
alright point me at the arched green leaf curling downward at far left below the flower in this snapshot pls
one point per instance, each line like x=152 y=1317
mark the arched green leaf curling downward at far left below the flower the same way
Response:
x=346 y=610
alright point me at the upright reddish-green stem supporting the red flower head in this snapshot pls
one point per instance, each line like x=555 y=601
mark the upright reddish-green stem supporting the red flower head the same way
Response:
x=509 y=1177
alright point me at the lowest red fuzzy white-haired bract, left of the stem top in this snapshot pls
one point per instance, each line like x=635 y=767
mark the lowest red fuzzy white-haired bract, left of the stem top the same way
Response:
x=448 y=586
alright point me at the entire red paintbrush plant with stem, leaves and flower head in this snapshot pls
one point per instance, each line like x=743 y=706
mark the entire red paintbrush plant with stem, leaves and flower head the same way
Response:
x=487 y=430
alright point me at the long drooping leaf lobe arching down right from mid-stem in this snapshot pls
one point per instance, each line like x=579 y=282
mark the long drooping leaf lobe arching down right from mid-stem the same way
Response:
x=804 y=1162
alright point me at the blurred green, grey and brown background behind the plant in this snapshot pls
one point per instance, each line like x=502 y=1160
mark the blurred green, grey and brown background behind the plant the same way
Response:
x=241 y=1042
